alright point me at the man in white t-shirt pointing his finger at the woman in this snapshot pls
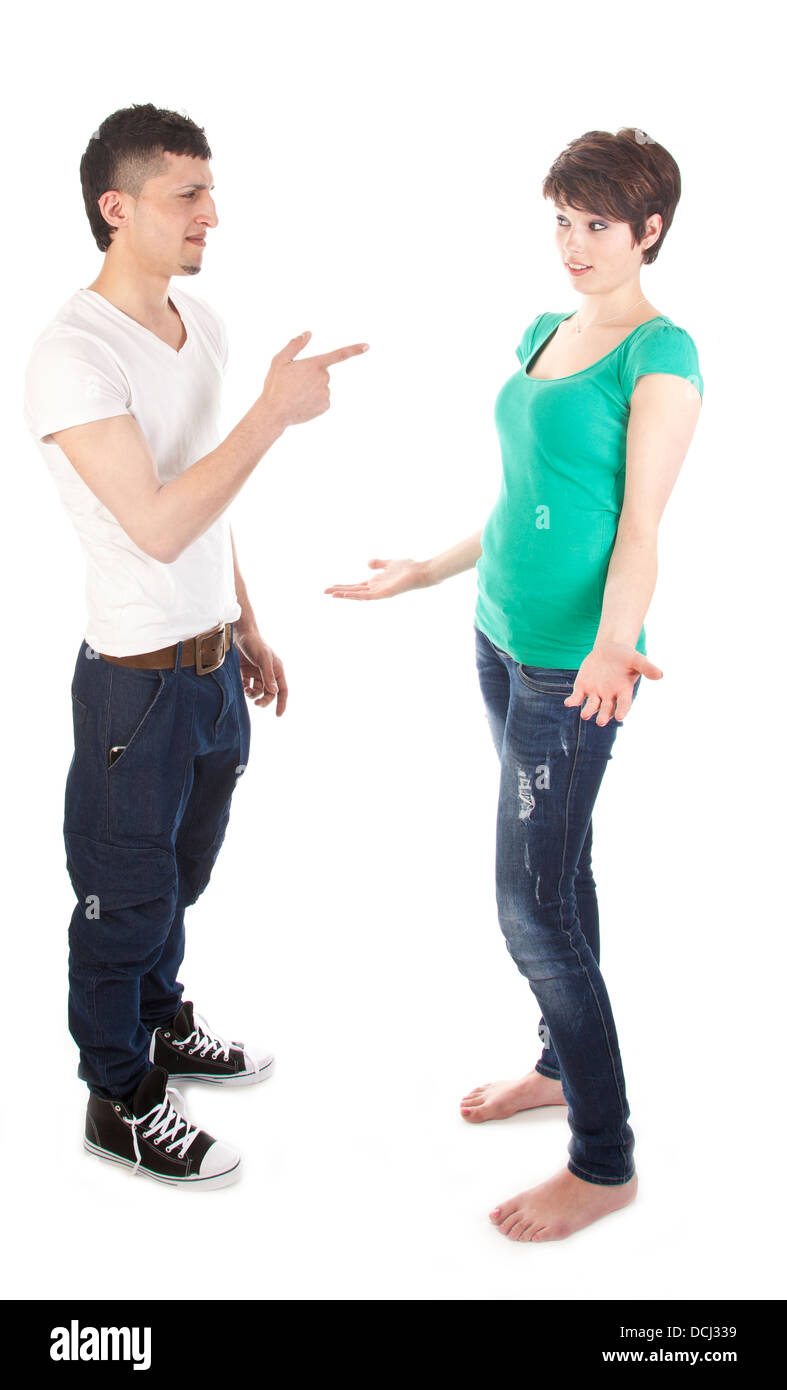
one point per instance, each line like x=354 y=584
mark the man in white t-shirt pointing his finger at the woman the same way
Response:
x=122 y=394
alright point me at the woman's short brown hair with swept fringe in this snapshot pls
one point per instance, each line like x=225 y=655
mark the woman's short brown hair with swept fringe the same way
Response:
x=626 y=177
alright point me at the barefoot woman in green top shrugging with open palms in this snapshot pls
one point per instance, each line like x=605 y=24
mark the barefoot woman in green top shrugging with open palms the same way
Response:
x=594 y=429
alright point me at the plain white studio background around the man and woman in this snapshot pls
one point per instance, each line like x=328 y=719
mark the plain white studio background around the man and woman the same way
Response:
x=379 y=179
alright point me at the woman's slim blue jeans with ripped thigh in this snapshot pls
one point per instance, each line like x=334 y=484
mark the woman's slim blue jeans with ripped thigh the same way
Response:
x=551 y=768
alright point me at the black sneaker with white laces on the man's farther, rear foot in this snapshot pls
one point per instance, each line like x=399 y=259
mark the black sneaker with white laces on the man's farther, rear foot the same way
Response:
x=191 y=1053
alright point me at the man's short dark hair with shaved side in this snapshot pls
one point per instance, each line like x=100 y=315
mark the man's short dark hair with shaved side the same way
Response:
x=127 y=149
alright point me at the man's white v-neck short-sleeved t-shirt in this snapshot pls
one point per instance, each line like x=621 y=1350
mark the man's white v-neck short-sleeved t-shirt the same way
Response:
x=94 y=362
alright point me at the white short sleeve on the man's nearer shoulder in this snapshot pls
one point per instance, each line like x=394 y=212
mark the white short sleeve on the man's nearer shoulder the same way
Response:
x=73 y=380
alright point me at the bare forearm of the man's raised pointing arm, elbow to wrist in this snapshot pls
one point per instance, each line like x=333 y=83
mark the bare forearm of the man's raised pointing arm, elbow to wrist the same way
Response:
x=190 y=504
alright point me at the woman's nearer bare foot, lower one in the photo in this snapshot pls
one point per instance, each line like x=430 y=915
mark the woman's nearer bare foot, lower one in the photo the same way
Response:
x=560 y=1207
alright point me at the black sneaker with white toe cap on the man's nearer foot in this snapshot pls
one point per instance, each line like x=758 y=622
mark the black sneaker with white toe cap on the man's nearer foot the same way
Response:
x=152 y=1136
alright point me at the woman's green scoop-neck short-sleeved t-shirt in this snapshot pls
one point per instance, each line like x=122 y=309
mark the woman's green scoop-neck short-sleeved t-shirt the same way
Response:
x=550 y=539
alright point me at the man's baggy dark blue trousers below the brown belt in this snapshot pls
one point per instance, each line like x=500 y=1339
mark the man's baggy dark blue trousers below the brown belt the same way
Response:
x=141 y=842
